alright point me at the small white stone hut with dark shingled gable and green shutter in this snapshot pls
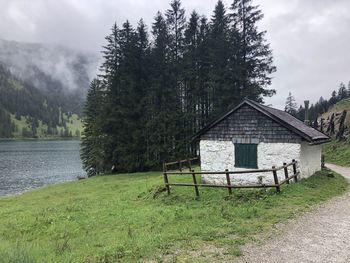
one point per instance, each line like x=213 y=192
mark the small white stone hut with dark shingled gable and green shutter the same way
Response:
x=254 y=136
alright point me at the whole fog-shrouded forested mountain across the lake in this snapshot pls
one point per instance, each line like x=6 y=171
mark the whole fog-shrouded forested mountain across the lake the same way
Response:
x=42 y=89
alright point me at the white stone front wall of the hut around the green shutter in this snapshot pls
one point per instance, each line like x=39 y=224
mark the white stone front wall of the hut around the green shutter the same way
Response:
x=219 y=155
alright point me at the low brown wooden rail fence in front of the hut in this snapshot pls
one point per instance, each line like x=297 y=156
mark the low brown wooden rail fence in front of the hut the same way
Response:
x=277 y=184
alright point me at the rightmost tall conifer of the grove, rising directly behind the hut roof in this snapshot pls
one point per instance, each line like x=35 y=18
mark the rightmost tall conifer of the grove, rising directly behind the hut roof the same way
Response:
x=254 y=56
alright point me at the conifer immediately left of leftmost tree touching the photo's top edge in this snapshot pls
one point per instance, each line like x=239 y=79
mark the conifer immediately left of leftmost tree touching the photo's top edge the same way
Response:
x=161 y=97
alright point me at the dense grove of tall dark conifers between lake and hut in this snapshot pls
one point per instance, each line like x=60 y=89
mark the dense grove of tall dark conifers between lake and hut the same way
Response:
x=160 y=83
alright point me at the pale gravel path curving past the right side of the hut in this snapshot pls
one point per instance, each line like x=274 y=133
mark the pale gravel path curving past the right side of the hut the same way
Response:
x=321 y=235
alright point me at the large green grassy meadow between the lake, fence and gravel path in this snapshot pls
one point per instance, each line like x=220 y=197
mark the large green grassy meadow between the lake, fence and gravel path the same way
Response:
x=122 y=218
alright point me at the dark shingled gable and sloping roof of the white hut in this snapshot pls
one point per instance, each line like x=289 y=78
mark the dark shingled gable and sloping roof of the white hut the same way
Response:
x=253 y=122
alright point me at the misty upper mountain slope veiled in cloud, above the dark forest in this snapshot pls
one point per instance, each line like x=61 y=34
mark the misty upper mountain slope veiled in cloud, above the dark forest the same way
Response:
x=60 y=73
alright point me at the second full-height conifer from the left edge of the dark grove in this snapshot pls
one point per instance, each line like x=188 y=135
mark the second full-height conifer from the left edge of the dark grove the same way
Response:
x=125 y=119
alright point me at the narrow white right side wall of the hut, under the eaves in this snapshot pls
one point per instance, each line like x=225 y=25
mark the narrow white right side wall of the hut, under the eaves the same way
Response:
x=310 y=159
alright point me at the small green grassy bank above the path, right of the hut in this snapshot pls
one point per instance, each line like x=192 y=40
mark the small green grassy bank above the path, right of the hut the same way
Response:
x=337 y=152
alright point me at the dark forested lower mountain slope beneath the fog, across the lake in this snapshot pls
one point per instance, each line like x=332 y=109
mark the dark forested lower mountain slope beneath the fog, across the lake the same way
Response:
x=26 y=111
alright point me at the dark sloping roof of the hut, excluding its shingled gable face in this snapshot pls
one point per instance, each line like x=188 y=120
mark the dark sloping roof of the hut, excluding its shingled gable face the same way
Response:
x=283 y=118
